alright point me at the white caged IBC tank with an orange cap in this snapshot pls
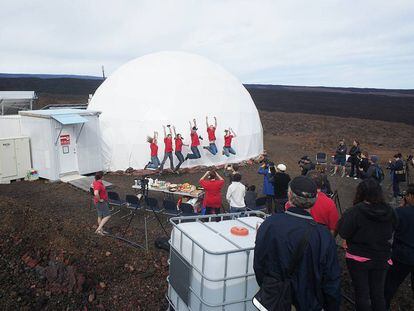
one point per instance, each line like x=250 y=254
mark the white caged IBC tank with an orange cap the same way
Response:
x=220 y=265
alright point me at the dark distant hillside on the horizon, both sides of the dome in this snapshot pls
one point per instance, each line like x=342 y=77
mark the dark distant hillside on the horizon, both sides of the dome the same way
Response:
x=374 y=104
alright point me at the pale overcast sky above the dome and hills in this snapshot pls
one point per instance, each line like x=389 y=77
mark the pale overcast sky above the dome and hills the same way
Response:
x=359 y=43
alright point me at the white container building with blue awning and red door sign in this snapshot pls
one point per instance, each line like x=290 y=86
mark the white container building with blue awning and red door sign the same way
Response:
x=63 y=141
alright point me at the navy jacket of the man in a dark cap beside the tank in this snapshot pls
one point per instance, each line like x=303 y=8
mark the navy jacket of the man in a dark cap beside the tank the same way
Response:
x=316 y=284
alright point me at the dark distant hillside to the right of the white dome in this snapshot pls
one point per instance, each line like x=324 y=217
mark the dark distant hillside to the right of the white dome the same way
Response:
x=374 y=104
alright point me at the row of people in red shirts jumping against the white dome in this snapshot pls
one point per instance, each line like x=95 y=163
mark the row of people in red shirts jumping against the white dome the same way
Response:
x=173 y=138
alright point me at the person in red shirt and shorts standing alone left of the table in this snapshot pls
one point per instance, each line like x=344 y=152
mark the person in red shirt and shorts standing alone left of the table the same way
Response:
x=101 y=202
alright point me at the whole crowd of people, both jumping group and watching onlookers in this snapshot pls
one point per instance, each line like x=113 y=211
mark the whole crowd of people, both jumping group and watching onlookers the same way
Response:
x=378 y=239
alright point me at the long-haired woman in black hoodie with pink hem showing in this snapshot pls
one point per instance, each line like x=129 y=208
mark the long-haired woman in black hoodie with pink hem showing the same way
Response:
x=368 y=228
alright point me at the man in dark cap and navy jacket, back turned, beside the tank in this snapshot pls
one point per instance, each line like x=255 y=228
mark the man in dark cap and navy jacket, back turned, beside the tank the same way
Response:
x=316 y=283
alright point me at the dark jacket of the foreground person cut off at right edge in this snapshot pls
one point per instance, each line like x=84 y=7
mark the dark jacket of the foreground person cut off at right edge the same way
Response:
x=403 y=246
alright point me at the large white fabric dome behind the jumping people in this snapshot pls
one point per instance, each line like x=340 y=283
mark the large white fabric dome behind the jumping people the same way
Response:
x=173 y=88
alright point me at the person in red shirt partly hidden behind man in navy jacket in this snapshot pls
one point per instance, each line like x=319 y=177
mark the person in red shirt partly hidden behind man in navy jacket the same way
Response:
x=324 y=211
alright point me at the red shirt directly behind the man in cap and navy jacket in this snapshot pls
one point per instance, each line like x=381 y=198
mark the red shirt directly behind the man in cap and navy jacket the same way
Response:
x=324 y=211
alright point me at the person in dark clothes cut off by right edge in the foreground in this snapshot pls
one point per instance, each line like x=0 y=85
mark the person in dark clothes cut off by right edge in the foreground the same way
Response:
x=402 y=247
